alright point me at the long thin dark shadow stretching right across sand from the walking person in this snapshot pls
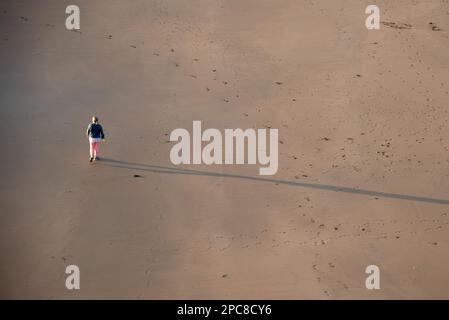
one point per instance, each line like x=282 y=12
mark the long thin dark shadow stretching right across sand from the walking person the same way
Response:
x=174 y=170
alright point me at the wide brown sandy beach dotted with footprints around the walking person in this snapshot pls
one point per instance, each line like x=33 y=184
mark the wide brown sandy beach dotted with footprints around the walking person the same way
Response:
x=355 y=108
